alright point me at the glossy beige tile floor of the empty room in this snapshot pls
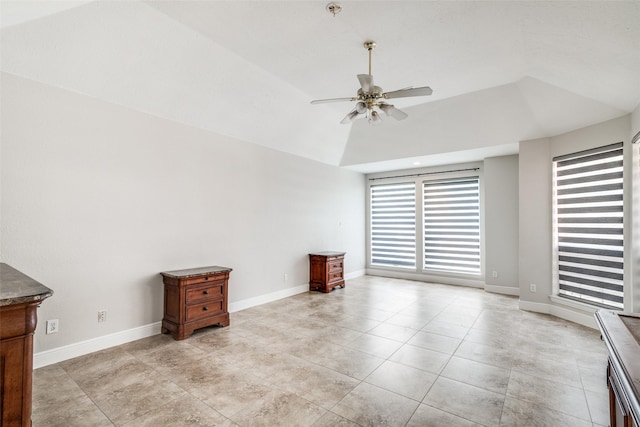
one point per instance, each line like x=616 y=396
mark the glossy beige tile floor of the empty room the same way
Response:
x=381 y=352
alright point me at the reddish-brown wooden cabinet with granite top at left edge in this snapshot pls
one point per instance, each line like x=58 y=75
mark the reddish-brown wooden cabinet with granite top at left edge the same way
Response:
x=20 y=297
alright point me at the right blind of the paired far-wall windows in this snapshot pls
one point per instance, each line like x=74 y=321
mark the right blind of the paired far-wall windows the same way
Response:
x=452 y=225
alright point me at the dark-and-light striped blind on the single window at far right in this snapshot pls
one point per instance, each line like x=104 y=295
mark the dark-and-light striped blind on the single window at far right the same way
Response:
x=589 y=217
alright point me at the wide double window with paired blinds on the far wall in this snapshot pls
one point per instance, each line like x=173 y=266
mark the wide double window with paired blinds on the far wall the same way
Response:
x=426 y=223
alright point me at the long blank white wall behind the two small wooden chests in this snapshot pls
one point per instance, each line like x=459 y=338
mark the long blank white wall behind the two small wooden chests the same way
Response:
x=98 y=199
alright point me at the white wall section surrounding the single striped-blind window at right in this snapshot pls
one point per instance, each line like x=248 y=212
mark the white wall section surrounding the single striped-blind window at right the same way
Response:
x=535 y=215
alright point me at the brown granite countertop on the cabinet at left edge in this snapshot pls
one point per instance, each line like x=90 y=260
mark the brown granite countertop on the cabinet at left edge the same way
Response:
x=18 y=288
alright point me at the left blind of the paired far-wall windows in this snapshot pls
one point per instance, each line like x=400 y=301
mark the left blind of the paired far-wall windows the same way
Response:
x=393 y=225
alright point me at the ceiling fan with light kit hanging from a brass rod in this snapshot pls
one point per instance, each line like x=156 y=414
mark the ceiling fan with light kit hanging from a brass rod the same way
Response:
x=369 y=97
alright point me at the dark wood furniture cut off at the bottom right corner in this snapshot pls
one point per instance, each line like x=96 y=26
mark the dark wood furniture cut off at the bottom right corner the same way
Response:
x=621 y=334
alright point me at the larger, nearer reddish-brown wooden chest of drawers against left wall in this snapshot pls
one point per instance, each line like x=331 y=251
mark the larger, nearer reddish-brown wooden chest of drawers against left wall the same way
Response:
x=195 y=298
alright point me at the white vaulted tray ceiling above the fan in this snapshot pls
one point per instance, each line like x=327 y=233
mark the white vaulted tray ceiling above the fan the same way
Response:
x=501 y=71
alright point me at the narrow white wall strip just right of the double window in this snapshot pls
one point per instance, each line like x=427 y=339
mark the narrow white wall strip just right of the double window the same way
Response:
x=501 y=224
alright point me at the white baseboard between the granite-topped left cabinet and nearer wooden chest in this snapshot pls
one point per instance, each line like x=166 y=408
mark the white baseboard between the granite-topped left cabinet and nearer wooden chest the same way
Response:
x=55 y=355
